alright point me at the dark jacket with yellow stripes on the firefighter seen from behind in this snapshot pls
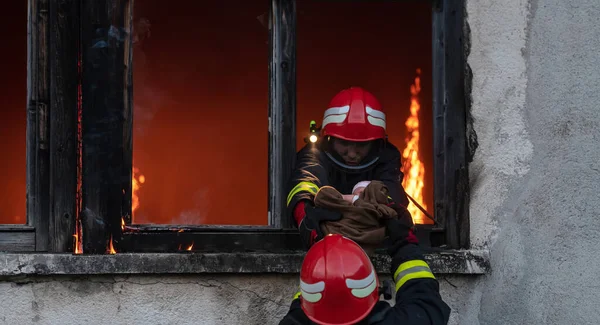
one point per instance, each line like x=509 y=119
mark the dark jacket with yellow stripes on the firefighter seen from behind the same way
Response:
x=418 y=301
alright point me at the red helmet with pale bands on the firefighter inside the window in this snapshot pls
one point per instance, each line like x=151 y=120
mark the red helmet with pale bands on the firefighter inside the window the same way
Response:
x=354 y=114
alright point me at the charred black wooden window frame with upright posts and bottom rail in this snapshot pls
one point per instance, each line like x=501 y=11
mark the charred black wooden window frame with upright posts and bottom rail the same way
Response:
x=79 y=135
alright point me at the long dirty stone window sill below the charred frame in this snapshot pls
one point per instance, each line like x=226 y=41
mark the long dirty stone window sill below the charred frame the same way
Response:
x=11 y=264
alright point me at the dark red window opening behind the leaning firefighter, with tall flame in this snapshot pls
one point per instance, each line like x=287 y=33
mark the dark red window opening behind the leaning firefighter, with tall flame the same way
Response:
x=378 y=46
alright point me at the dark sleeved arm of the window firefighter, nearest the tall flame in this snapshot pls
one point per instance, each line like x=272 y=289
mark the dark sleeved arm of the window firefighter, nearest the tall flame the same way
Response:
x=388 y=172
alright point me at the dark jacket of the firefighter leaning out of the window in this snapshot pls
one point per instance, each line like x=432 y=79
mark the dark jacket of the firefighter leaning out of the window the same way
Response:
x=314 y=169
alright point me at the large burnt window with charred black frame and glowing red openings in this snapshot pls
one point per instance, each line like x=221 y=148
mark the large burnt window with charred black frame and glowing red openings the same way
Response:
x=138 y=125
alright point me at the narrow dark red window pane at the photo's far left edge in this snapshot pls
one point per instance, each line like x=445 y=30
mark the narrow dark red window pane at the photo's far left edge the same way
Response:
x=13 y=118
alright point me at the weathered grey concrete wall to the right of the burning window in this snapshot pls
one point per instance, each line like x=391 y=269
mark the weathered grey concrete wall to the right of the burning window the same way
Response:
x=536 y=174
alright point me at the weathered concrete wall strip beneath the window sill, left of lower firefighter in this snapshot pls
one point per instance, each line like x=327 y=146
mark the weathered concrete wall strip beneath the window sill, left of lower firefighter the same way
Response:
x=203 y=299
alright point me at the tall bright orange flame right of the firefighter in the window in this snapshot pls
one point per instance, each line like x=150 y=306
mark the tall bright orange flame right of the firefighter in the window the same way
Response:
x=414 y=169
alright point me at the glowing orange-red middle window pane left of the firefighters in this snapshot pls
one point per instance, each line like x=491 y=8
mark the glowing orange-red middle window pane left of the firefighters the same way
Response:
x=200 y=112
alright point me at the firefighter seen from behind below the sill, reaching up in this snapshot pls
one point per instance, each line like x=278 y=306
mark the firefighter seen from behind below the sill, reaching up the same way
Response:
x=339 y=285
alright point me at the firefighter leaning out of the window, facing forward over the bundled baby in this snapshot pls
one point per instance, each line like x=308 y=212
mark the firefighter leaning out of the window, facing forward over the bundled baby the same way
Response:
x=352 y=146
